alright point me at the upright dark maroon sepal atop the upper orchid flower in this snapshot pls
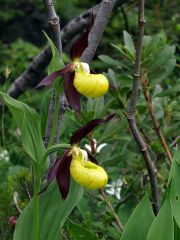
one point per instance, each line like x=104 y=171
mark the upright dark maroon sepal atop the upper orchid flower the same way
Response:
x=82 y=42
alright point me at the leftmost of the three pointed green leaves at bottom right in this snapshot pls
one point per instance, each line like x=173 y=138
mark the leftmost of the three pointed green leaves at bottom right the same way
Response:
x=140 y=221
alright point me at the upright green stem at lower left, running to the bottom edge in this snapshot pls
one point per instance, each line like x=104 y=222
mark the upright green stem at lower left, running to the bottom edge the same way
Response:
x=36 y=208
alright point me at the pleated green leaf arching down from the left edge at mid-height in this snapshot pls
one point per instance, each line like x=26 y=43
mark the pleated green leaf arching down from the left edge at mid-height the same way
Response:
x=28 y=121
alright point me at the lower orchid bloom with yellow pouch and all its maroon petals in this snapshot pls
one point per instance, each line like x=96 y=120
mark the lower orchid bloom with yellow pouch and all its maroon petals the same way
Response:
x=79 y=164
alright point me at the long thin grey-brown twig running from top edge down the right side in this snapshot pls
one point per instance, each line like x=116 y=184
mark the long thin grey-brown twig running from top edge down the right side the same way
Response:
x=132 y=108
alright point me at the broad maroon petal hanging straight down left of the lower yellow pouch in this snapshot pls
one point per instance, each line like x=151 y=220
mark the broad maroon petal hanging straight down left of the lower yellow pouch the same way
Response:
x=63 y=174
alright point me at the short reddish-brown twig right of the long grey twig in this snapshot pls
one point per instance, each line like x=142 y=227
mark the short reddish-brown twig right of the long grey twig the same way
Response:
x=154 y=121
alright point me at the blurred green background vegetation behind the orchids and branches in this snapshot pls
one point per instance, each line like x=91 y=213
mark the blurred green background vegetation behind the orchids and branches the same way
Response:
x=21 y=38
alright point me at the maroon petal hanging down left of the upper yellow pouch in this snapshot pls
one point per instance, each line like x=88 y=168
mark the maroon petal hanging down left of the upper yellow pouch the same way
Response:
x=73 y=97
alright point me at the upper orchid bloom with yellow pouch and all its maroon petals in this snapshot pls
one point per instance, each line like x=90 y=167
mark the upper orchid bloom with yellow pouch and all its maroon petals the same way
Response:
x=77 y=78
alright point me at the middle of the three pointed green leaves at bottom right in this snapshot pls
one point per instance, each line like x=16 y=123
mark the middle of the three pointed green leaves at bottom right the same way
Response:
x=163 y=225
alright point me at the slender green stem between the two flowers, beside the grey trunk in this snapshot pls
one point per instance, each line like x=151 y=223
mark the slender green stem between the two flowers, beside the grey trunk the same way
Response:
x=55 y=121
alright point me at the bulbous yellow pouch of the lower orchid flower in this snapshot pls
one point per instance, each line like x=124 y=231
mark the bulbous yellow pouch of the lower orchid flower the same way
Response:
x=86 y=173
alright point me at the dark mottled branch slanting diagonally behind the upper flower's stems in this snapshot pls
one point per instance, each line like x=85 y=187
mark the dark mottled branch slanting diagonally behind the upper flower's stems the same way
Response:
x=33 y=74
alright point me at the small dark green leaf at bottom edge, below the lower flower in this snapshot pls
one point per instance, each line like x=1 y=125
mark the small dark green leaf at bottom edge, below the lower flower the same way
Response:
x=80 y=233
